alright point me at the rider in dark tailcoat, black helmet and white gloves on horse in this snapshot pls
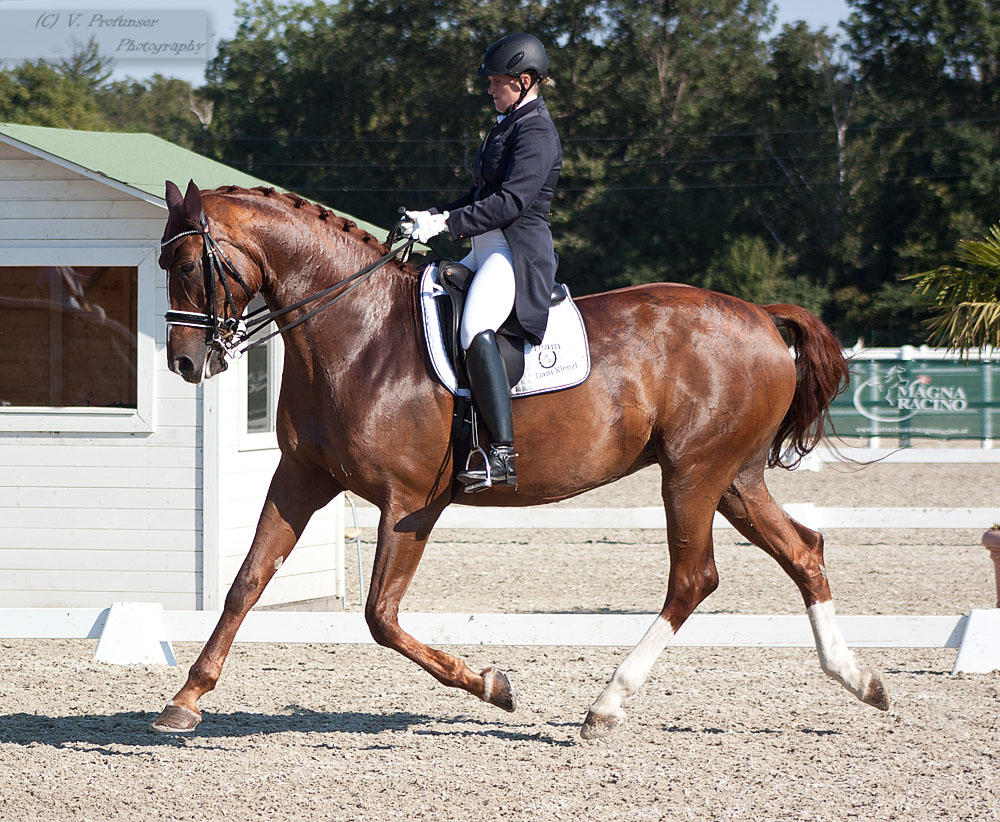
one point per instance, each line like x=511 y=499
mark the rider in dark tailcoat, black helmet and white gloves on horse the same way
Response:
x=505 y=213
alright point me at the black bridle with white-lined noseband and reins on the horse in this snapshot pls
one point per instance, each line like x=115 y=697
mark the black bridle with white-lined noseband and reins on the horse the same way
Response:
x=229 y=333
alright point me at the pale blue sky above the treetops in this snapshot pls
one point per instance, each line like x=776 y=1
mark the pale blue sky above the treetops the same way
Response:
x=35 y=21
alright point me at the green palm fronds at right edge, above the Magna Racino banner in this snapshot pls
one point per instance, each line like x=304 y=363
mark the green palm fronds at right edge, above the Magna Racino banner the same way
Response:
x=966 y=300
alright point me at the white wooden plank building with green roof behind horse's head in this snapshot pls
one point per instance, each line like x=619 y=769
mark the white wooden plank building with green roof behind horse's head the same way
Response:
x=118 y=480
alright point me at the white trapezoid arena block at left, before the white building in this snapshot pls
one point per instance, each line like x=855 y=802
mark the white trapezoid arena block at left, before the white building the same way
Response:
x=135 y=634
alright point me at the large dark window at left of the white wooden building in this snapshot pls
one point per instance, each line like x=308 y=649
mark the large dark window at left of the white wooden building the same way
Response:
x=68 y=339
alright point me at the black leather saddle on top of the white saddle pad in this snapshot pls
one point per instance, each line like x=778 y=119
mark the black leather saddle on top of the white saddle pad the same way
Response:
x=455 y=278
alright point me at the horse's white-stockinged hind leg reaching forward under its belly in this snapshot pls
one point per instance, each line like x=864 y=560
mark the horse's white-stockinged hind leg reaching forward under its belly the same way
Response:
x=690 y=509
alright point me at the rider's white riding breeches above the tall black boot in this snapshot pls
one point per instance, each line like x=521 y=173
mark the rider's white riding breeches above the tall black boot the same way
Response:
x=491 y=295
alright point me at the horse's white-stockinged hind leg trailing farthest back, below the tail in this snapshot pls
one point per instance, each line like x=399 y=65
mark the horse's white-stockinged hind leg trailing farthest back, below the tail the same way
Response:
x=748 y=505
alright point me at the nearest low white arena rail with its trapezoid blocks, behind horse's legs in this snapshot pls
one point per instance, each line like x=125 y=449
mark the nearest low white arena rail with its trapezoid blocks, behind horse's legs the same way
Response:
x=143 y=633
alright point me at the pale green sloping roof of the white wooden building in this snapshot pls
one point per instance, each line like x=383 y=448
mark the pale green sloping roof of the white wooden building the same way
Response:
x=140 y=161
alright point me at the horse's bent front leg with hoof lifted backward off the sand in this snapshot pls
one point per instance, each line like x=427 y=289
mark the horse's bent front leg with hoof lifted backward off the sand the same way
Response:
x=401 y=541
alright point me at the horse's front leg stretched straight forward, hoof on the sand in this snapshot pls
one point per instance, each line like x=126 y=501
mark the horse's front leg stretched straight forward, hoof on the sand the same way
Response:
x=296 y=493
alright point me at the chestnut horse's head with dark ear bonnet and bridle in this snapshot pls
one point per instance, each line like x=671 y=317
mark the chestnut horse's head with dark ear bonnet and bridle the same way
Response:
x=210 y=280
